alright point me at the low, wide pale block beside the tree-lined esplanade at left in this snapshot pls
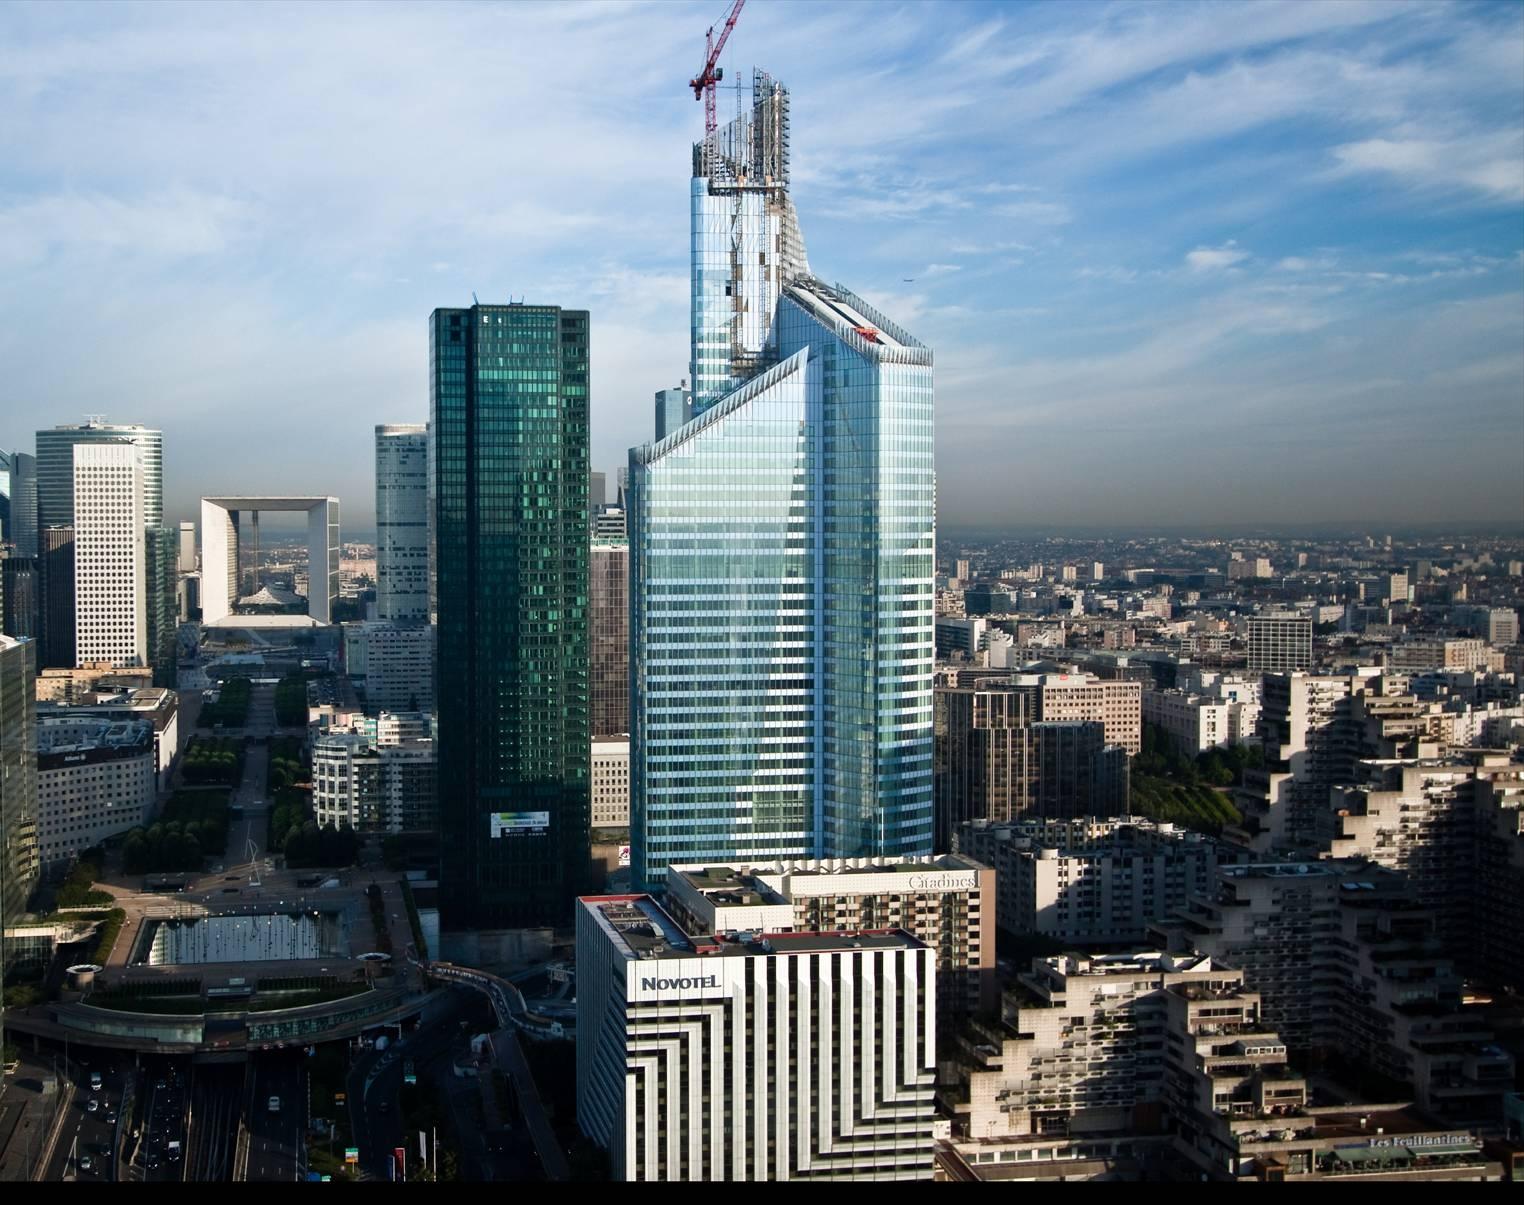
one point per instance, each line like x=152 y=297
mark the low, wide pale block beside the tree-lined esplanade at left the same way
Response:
x=95 y=779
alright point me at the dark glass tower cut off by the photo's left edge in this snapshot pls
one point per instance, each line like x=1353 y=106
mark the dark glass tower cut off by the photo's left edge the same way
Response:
x=19 y=858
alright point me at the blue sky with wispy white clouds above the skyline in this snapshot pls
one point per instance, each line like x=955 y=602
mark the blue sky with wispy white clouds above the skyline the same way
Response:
x=1177 y=263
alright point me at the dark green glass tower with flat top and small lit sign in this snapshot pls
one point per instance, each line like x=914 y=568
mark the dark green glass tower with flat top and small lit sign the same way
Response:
x=508 y=420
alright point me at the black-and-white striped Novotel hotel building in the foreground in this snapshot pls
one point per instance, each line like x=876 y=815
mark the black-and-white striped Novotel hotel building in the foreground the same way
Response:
x=754 y=1058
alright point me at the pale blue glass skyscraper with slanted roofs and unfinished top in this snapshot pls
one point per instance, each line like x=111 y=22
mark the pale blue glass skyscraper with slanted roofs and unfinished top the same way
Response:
x=783 y=552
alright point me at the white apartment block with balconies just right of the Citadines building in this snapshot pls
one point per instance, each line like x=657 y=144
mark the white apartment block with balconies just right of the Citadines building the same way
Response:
x=1092 y=881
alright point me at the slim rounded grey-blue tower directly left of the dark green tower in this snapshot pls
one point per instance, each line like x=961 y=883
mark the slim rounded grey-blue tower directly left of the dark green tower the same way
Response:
x=403 y=523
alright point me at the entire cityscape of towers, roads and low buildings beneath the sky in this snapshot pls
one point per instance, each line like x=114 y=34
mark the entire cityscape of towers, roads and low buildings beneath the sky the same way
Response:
x=723 y=819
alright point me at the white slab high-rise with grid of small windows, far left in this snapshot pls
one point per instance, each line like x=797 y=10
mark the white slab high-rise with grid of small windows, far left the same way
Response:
x=110 y=555
